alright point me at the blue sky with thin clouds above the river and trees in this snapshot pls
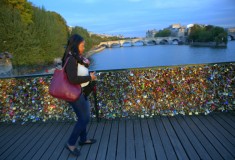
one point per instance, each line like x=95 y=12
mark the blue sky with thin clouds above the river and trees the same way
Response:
x=133 y=18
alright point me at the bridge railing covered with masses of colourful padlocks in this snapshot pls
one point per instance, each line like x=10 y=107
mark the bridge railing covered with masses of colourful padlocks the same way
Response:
x=142 y=92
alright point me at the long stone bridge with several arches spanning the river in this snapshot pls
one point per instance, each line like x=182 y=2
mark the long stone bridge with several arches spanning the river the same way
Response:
x=144 y=41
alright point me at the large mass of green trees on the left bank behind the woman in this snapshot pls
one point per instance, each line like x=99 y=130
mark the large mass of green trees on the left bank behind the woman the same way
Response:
x=34 y=43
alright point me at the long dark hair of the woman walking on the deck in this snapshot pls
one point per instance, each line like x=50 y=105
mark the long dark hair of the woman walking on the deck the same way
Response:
x=72 y=47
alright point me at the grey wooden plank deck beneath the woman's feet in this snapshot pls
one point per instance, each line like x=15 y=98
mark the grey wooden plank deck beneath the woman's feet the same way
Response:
x=179 y=137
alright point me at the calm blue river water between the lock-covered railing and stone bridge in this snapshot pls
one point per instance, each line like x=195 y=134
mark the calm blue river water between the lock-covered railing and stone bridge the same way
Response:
x=160 y=55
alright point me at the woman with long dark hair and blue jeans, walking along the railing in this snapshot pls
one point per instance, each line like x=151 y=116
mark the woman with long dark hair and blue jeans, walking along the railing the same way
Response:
x=74 y=52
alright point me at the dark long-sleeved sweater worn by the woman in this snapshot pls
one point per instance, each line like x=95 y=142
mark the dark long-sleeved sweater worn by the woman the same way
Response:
x=71 y=70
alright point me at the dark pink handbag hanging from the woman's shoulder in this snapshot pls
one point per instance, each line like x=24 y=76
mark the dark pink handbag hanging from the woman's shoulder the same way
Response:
x=61 y=88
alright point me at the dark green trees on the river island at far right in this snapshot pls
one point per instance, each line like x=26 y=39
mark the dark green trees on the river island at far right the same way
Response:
x=207 y=34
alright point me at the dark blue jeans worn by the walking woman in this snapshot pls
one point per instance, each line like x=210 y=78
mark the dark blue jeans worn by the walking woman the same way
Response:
x=82 y=109
